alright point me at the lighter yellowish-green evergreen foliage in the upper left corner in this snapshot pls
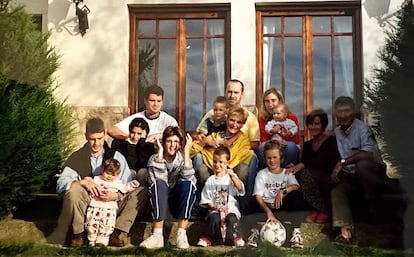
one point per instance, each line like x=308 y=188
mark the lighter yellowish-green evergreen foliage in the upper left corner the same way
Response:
x=24 y=53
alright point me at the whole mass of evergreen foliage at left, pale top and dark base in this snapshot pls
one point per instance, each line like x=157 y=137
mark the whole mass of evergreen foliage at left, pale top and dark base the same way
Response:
x=36 y=128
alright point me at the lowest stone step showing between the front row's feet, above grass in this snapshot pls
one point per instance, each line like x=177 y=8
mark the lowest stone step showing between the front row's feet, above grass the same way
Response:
x=15 y=231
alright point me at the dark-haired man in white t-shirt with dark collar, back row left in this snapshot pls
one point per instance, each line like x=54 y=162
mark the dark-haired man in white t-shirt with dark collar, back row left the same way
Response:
x=157 y=119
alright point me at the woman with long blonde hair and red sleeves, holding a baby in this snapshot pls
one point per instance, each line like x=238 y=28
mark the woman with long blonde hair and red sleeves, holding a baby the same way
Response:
x=271 y=98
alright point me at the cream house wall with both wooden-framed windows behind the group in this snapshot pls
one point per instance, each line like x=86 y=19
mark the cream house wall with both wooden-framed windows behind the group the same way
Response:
x=313 y=51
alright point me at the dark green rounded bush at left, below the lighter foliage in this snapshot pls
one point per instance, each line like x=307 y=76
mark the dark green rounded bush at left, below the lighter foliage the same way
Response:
x=30 y=143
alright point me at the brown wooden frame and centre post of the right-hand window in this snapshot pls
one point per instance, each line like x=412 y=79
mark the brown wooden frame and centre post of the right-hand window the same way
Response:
x=329 y=8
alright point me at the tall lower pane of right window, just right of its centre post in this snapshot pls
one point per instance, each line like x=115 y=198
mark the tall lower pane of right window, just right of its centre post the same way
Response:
x=322 y=74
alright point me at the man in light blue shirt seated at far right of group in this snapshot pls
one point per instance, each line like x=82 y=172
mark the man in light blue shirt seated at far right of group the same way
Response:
x=358 y=173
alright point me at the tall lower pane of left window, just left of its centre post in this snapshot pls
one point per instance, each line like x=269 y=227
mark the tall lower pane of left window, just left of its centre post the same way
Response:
x=167 y=73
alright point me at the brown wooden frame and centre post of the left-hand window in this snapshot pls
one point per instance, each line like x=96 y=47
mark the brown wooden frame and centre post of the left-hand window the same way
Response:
x=170 y=11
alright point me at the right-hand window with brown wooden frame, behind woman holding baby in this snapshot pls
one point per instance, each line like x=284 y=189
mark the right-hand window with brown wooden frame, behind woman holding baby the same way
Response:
x=311 y=52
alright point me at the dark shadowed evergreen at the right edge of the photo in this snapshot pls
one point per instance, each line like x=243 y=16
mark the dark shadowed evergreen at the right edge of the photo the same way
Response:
x=389 y=94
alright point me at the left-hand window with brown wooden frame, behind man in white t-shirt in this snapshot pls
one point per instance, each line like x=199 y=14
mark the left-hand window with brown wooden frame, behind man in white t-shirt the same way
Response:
x=184 y=49
